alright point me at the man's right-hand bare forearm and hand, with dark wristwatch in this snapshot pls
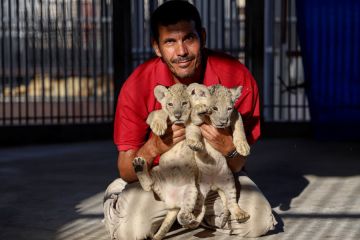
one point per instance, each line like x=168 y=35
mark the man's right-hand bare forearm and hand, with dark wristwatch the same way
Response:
x=222 y=141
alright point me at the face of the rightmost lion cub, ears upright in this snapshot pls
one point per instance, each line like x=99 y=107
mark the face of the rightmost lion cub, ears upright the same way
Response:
x=222 y=104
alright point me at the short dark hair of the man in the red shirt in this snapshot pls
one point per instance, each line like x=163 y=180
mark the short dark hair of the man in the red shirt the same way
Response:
x=172 y=12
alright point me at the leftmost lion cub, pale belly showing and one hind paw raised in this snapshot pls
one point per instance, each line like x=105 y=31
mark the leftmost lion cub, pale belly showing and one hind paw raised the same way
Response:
x=174 y=180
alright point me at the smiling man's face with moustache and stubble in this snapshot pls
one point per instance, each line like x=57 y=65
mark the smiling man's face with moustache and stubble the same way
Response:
x=179 y=46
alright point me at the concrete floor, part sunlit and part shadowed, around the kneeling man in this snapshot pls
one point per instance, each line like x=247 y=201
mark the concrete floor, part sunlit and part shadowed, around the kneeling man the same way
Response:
x=55 y=191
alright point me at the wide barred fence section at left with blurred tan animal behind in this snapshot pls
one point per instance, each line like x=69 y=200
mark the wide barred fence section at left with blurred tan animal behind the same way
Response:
x=55 y=62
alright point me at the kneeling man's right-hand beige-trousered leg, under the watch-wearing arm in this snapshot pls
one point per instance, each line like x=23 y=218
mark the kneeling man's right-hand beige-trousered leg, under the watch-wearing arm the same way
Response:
x=252 y=201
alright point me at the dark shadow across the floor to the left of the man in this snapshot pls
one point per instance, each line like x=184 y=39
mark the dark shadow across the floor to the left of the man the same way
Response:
x=43 y=187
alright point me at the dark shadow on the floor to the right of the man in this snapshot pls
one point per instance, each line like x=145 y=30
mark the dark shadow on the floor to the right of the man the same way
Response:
x=279 y=167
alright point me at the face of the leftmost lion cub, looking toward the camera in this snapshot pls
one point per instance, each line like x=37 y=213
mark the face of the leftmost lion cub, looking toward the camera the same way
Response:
x=175 y=101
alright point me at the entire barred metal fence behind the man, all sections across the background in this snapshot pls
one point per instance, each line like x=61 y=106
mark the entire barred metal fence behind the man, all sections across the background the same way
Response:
x=56 y=57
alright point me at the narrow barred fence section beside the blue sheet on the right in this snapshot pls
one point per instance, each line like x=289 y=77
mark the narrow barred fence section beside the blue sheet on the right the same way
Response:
x=284 y=98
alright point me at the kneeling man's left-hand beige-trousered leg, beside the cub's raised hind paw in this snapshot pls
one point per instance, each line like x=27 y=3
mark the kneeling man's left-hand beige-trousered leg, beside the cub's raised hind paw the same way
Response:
x=130 y=212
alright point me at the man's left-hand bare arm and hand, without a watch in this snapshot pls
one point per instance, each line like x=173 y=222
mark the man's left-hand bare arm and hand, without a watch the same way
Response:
x=153 y=147
